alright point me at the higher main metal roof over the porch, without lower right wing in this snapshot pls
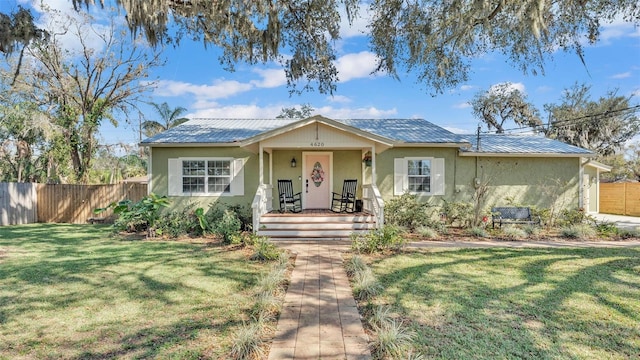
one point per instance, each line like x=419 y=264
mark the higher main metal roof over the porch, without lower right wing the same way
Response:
x=224 y=131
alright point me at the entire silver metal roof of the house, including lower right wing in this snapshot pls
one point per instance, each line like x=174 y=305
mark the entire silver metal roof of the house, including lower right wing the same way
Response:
x=407 y=131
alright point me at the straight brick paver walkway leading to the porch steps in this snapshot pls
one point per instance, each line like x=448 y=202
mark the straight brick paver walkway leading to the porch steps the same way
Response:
x=319 y=319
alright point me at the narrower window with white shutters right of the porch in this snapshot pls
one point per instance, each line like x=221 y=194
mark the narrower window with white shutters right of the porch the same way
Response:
x=421 y=176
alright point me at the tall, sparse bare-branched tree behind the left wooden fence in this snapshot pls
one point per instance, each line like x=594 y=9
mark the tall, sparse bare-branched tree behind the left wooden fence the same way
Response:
x=80 y=90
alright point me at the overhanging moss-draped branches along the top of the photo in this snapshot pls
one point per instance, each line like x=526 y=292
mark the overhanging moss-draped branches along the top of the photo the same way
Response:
x=436 y=40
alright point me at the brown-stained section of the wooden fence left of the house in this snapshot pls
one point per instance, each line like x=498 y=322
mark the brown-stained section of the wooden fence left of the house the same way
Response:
x=66 y=203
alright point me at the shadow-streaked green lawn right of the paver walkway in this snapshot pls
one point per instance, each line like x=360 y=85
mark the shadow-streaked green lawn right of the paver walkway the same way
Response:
x=517 y=303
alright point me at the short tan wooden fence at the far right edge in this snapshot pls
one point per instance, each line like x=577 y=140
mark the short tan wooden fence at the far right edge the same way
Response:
x=620 y=198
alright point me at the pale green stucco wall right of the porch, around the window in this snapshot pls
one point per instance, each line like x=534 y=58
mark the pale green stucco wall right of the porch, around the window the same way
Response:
x=540 y=182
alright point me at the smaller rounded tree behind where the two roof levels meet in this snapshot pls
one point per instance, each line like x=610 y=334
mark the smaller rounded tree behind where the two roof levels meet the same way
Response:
x=502 y=103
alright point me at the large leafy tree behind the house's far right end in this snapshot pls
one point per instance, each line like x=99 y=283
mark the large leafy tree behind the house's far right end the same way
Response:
x=603 y=126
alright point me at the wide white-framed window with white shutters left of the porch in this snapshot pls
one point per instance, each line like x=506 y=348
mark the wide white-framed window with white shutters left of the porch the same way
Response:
x=206 y=177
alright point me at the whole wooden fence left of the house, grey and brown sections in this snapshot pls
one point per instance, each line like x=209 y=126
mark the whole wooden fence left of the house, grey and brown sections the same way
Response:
x=24 y=203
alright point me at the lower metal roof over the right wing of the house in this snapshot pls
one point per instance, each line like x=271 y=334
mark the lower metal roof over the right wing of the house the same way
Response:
x=520 y=145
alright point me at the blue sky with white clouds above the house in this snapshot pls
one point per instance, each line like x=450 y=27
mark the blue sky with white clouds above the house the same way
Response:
x=192 y=78
